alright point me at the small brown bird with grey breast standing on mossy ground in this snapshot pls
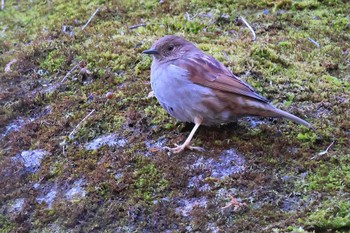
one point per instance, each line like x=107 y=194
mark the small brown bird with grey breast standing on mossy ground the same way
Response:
x=194 y=87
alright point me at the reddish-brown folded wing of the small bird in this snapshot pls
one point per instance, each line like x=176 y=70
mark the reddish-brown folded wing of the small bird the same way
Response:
x=207 y=71
